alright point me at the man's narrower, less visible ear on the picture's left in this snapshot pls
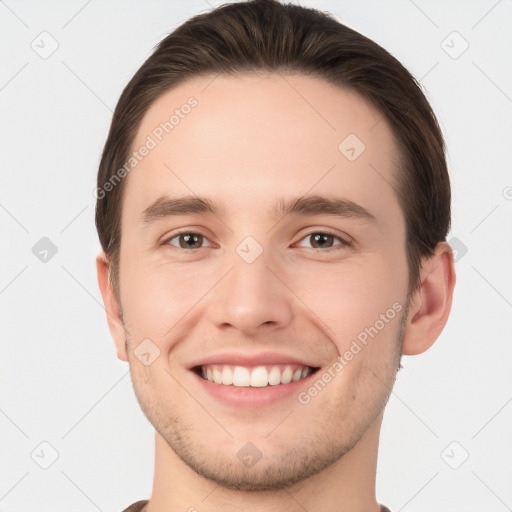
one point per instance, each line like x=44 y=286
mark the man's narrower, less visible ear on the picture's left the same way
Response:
x=112 y=307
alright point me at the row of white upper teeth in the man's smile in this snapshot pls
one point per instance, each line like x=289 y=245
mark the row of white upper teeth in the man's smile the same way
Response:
x=258 y=376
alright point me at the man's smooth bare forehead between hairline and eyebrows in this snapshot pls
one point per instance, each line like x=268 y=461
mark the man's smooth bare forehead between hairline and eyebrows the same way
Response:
x=257 y=136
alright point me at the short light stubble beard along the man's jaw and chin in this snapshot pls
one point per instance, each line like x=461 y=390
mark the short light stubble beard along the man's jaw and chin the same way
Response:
x=311 y=453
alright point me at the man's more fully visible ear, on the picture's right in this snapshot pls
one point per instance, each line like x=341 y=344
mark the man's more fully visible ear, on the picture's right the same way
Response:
x=431 y=303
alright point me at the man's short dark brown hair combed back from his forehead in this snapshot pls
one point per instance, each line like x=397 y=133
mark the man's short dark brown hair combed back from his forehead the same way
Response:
x=266 y=35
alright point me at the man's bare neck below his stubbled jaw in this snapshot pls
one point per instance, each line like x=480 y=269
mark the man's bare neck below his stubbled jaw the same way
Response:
x=347 y=485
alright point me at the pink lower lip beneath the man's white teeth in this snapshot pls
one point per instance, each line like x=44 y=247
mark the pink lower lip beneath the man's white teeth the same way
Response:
x=252 y=396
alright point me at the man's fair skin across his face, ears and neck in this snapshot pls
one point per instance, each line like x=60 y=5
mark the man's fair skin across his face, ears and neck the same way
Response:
x=250 y=140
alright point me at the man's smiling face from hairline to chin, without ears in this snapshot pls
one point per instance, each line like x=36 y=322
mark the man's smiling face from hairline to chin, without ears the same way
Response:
x=251 y=287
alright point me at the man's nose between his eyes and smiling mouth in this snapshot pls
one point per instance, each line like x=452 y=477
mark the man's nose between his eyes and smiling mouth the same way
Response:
x=252 y=297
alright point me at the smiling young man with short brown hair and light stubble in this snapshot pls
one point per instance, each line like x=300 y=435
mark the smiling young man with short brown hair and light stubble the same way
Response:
x=273 y=204
